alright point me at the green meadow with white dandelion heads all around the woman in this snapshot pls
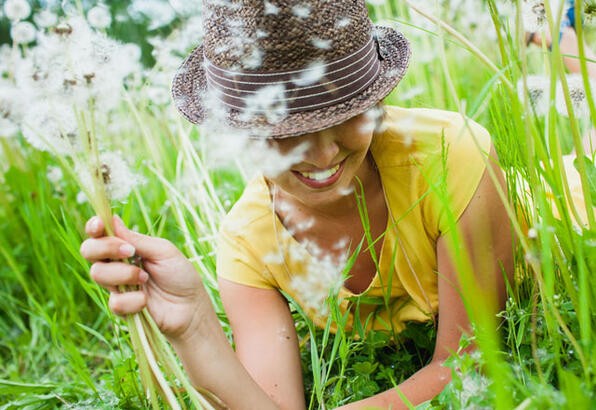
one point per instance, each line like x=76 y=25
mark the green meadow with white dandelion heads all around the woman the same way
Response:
x=61 y=347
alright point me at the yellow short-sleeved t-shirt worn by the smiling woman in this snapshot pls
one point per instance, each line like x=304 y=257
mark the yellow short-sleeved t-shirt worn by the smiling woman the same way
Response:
x=419 y=149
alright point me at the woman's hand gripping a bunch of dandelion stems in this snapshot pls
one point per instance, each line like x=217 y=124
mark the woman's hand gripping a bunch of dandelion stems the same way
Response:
x=169 y=285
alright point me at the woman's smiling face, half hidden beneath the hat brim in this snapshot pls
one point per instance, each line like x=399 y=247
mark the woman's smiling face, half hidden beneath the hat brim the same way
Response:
x=332 y=158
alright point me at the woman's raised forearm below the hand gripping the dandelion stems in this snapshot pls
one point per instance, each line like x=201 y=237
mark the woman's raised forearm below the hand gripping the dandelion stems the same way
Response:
x=211 y=363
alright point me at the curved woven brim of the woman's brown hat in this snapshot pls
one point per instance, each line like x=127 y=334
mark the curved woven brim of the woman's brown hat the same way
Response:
x=190 y=84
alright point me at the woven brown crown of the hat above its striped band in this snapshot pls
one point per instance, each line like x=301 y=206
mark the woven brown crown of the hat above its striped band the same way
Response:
x=271 y=36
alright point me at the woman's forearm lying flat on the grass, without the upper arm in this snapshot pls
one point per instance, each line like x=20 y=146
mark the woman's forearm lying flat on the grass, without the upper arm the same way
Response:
x=420 y=387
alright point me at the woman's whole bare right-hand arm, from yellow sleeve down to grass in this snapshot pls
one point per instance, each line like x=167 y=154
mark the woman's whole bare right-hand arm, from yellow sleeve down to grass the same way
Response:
x=487 y=238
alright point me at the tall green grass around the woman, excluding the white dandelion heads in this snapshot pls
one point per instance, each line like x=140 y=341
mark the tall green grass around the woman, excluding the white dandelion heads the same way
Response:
x=60 y=345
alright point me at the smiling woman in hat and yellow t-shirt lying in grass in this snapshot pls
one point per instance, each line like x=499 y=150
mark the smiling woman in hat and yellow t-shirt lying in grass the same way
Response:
x=420 y=176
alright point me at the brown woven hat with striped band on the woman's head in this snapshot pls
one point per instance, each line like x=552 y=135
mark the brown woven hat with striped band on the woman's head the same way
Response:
x=281 y=68
